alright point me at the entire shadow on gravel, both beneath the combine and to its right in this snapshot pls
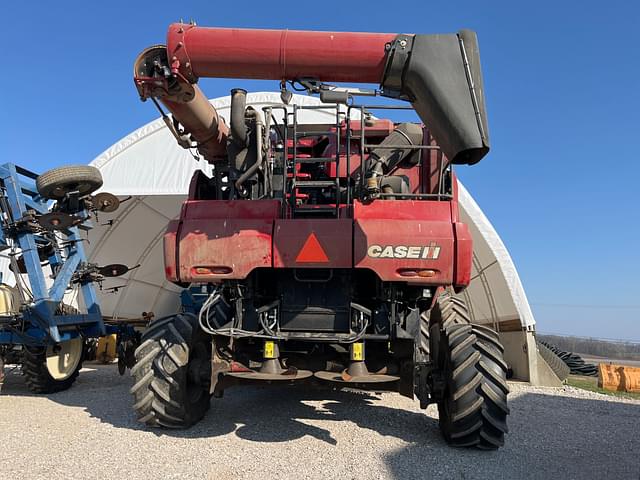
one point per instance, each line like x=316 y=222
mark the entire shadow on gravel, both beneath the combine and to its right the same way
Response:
x=550 y=436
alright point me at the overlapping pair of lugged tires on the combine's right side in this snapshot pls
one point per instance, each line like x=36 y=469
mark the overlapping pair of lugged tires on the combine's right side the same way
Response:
x=469 y=360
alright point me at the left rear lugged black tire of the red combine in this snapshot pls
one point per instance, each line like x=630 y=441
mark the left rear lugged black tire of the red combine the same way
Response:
x=172 y=373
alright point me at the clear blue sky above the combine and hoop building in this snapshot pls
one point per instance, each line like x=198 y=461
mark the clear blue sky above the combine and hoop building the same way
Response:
x=562 y=83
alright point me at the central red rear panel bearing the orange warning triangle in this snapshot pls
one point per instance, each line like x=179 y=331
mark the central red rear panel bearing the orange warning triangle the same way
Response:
x=333 y=236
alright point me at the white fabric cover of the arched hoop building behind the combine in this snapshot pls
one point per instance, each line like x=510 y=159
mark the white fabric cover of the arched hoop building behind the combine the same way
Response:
x=150 y=167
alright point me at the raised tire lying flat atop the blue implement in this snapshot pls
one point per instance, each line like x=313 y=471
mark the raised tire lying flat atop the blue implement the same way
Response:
x=57 y=183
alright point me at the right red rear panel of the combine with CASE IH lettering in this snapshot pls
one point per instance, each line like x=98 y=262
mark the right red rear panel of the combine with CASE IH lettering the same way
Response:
x=403 y=236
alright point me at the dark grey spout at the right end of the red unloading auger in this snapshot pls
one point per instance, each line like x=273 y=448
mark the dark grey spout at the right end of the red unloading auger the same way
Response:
x=441 y=76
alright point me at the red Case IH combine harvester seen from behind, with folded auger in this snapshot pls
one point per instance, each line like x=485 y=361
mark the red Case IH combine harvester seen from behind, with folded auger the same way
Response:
x=324 y=253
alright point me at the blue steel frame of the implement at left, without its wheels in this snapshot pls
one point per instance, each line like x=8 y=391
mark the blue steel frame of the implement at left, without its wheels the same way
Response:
x=40 y=323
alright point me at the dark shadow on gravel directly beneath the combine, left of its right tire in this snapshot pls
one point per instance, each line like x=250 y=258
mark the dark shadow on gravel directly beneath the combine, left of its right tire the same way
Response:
x=260 y=414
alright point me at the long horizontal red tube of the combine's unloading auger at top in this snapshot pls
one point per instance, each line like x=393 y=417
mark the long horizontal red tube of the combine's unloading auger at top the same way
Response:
x=277 y=54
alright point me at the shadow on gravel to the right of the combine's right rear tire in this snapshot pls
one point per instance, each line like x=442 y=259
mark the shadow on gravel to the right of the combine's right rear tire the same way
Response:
x=550 y=437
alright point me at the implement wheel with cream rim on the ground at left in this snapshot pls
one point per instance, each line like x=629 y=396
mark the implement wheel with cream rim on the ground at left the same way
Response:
x=54 y=368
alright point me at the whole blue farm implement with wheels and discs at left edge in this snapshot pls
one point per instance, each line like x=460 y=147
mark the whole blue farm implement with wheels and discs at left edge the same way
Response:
x=51 y=309
